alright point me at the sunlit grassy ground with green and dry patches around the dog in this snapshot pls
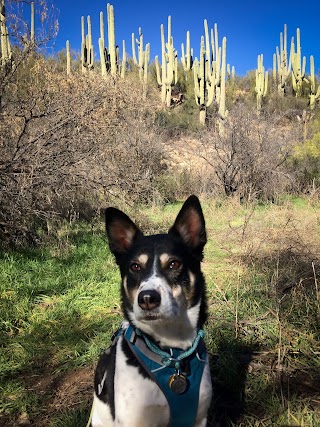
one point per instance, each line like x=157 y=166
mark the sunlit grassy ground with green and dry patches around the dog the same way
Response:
x=59 y=306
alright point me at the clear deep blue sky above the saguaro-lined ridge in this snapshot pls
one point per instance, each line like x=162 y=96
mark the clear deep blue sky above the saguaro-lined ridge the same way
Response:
x=251 y=27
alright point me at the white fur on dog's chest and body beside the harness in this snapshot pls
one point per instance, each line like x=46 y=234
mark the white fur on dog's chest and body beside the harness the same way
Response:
x=139 y=402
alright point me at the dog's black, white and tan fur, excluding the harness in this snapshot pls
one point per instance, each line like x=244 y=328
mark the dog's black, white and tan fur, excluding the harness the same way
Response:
x=163 y=294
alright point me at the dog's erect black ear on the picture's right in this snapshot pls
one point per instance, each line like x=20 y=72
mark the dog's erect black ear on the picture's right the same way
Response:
x=190 y=224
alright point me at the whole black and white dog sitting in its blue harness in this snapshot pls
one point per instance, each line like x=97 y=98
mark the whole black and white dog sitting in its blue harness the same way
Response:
x=156 y=373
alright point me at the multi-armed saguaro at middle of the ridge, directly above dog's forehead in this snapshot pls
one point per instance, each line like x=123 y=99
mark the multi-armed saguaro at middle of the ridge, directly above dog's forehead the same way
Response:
x=168 y=76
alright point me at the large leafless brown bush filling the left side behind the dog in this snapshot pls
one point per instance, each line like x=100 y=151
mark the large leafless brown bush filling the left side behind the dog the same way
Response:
x=68 y=143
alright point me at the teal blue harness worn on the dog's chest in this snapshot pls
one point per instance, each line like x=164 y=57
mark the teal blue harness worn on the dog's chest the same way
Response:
x=161 y=366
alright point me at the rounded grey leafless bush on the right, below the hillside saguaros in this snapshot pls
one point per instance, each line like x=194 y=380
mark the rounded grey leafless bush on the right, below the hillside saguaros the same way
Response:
x=248 y=154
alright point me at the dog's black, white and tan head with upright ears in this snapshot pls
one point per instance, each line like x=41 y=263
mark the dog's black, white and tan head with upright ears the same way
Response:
x=162 y=285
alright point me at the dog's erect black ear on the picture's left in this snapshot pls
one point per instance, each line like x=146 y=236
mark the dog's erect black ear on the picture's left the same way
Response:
x=121 y=231
